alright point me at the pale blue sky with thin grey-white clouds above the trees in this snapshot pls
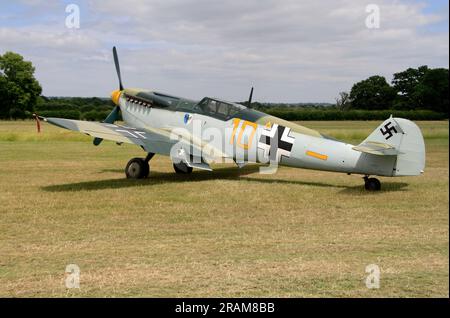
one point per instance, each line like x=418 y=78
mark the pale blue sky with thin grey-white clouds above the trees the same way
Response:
x=289 y=50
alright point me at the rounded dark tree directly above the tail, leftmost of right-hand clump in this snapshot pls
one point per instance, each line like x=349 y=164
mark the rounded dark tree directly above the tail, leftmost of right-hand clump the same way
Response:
x=372 y=93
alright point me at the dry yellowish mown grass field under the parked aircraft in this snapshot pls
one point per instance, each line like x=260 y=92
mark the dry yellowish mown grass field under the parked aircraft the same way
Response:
x=231 y=232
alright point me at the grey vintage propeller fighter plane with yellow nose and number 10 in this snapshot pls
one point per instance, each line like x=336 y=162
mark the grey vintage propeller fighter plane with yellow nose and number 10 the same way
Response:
x=174 y=126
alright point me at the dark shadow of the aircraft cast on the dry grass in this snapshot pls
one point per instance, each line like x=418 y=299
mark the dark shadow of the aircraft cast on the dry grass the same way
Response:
x=228 y=173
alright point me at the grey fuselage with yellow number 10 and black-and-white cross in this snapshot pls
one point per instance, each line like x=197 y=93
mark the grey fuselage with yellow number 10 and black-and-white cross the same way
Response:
x=244 y=135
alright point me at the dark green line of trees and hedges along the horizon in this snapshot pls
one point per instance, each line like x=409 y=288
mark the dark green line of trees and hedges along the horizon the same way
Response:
x=420 y=93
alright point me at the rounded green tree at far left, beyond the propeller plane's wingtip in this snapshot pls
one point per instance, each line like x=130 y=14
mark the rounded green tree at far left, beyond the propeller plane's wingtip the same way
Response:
x=18 y=88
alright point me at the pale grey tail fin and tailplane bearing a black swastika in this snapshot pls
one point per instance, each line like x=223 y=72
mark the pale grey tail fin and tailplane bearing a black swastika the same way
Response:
x=401 y=138
